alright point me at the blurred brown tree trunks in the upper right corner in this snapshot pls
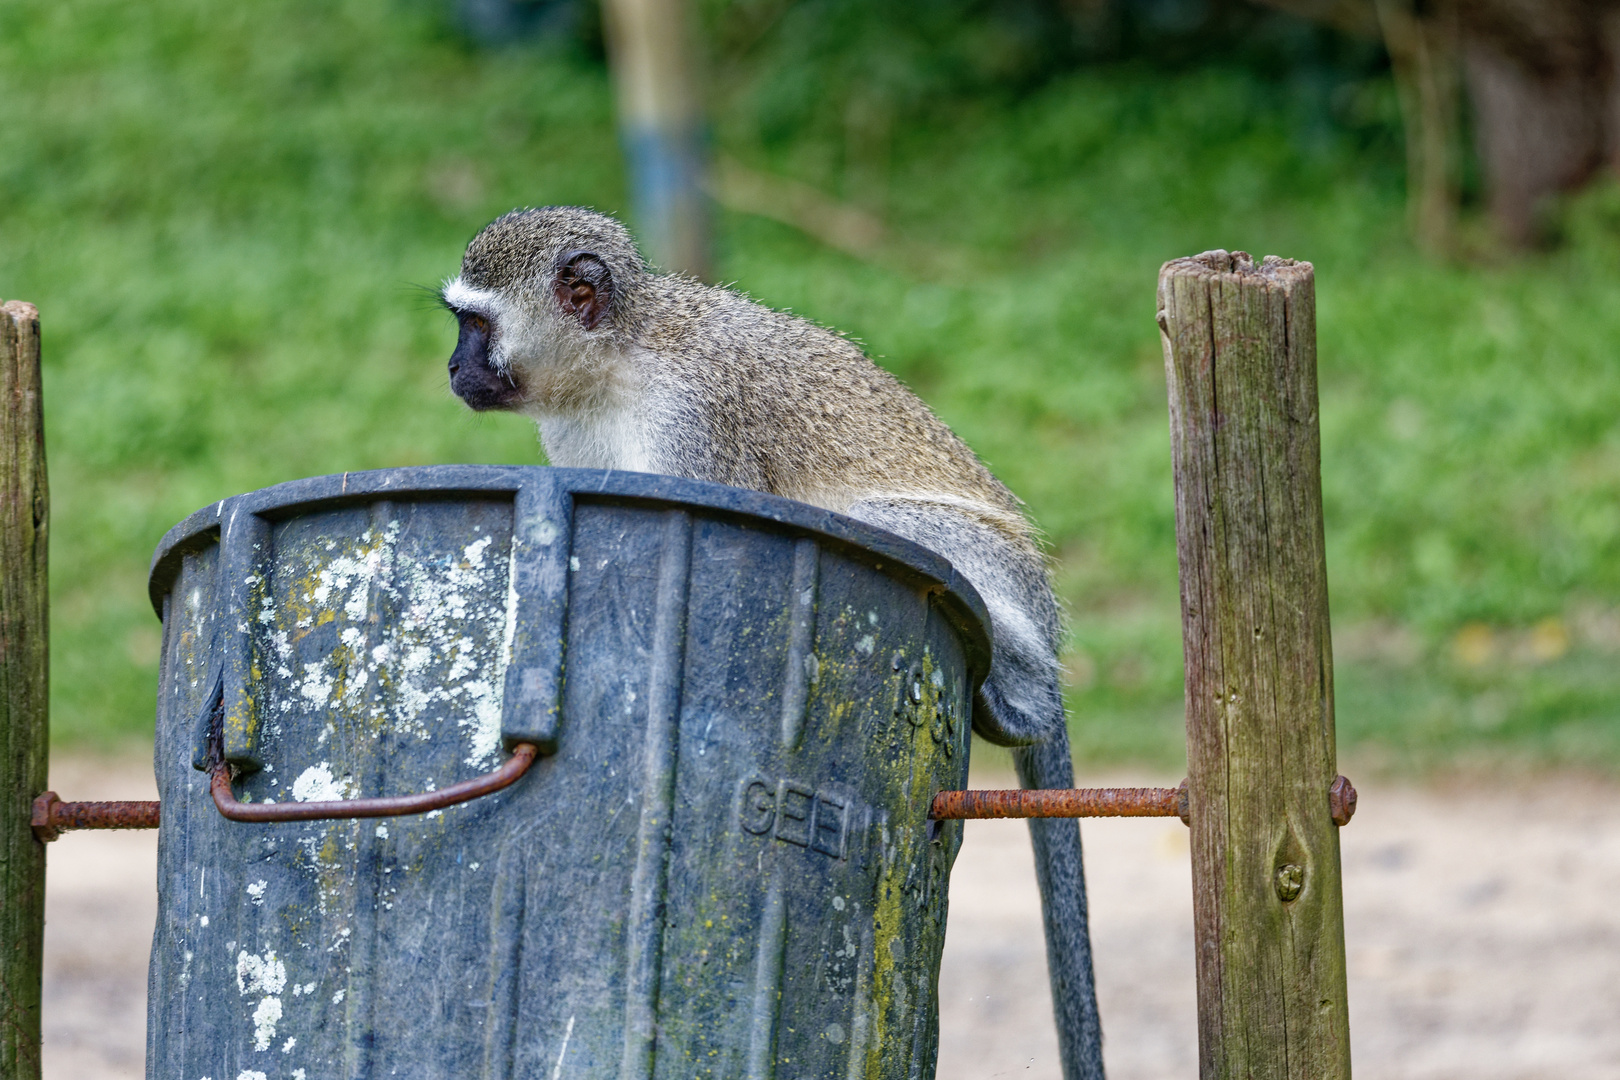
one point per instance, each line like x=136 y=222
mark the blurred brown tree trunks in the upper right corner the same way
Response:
x=1541 y=77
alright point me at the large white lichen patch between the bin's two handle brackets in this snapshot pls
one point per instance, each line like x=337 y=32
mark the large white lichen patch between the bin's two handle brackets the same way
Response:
x=375 y=637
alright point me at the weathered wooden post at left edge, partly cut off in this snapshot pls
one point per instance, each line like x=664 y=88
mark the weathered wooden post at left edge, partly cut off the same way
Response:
x=25 y=517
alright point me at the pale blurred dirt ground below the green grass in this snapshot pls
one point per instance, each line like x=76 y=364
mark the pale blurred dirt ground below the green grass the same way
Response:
x=1483 y=932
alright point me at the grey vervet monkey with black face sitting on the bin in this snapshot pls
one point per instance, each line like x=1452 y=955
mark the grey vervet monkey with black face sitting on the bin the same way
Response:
x=563 y=321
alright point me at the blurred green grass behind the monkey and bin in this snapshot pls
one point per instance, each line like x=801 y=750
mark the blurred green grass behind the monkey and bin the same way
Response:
x=226 y=215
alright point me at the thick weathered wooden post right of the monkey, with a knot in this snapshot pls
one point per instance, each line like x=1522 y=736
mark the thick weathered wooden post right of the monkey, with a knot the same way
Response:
x=1269 y=929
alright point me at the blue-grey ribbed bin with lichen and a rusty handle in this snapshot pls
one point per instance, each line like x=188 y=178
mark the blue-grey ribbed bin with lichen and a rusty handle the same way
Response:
x=720 y=864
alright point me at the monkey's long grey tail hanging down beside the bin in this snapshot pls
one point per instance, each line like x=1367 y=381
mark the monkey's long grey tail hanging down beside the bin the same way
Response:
x=1062 y=875
